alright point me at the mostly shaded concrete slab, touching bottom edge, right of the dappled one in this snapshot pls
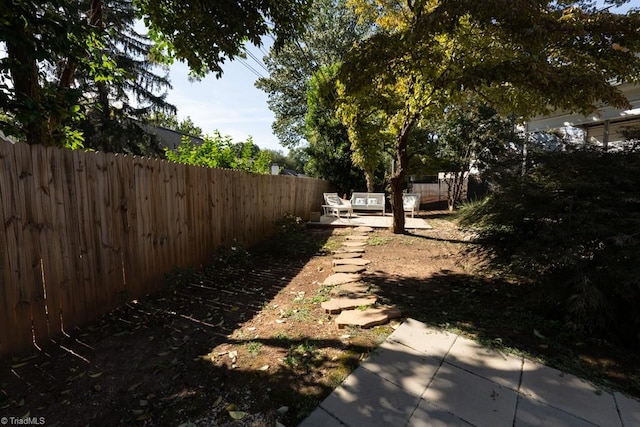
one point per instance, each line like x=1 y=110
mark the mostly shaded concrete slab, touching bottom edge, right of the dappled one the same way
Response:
x=472 y=398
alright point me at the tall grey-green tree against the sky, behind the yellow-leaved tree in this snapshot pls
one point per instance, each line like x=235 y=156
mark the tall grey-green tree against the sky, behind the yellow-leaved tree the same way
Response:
x=328 y=35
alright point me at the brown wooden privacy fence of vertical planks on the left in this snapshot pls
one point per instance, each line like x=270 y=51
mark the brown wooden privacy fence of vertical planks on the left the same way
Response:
x=82 y=230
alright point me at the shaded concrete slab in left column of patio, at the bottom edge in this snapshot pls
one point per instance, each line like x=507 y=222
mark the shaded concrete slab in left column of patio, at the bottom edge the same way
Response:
x=366 y=399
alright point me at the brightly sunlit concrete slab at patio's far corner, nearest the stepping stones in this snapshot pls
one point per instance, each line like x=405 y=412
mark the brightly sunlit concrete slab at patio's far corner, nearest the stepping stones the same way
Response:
x=419 y=336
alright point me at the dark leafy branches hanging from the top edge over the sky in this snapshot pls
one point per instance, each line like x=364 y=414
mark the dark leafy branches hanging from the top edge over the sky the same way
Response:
x=206 y=33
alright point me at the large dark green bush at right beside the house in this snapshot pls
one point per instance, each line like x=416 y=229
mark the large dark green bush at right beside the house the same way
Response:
x=570 y=224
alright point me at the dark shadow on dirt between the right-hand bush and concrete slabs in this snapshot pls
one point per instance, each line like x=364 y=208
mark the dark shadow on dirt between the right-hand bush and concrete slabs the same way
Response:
x=507 y=316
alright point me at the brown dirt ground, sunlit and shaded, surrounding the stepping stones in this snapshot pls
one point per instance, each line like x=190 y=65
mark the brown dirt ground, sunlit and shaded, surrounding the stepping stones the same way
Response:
x=244 y=341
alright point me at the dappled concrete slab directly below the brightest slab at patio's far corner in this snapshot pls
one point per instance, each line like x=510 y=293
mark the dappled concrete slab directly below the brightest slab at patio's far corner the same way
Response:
x=403 y=366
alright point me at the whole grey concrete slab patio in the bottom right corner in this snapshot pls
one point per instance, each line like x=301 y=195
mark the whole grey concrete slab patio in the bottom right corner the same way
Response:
x=421 y=376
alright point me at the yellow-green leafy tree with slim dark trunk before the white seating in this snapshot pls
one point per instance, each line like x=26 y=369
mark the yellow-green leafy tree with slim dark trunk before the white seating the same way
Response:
x=521 y=56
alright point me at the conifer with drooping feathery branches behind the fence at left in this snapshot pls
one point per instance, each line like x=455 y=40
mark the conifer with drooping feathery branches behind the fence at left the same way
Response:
x=131 y=91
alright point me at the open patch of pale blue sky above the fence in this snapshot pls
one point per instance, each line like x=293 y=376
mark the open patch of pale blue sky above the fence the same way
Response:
x=232 y=104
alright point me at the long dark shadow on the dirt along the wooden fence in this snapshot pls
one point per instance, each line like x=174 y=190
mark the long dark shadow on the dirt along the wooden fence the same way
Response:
x=150 y=363
